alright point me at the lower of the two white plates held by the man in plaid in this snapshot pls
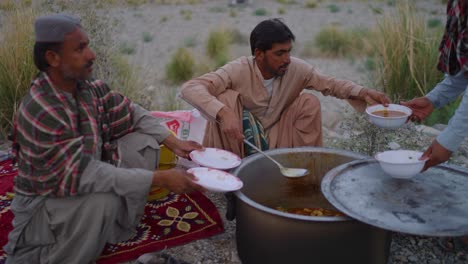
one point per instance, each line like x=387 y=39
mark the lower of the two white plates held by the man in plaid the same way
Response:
x=216 y=180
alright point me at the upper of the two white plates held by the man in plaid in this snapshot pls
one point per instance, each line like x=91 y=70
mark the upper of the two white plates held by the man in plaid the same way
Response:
x=215 y=158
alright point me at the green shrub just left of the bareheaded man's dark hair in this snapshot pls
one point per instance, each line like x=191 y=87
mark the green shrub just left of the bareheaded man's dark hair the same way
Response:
x=217 y=46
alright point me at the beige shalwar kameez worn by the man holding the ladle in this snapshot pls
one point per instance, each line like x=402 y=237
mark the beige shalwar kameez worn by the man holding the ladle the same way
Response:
x=290 y=117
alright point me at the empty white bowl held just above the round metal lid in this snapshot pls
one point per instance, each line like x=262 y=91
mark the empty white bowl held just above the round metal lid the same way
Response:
x=402 y=164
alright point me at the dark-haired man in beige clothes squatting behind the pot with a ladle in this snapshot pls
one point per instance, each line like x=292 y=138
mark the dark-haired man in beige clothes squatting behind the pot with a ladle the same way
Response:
x=270 y=86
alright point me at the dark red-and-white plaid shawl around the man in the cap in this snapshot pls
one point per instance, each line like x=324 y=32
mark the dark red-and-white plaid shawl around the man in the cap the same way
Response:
x=55 y=137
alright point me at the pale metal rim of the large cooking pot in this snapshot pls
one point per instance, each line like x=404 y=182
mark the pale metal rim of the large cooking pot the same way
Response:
x=254 y=157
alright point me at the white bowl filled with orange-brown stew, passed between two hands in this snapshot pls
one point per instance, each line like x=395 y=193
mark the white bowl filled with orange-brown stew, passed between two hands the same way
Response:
x=388 y=122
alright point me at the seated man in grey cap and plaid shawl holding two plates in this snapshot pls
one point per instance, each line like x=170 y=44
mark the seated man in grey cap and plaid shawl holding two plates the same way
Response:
x=86 y=155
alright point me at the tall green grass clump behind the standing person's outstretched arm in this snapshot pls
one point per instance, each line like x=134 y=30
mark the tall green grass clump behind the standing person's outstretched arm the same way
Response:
x=407 y=54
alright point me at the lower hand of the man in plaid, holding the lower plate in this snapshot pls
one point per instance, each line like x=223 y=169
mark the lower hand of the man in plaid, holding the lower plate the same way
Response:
x=176 y=180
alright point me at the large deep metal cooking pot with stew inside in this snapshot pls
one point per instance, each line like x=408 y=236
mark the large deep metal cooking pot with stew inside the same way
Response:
x=266 y=235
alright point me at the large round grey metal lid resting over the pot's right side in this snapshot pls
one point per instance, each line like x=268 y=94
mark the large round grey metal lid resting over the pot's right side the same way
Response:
x=433 y=203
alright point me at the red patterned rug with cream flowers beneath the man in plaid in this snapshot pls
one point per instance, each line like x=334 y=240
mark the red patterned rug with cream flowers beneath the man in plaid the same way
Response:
x=170 y=221
